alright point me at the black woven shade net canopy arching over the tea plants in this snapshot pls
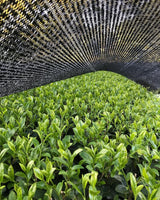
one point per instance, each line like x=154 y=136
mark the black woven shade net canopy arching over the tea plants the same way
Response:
x=43 y=41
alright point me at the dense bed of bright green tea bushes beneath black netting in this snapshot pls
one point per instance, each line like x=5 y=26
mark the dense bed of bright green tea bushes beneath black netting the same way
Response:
x=95 y=136
